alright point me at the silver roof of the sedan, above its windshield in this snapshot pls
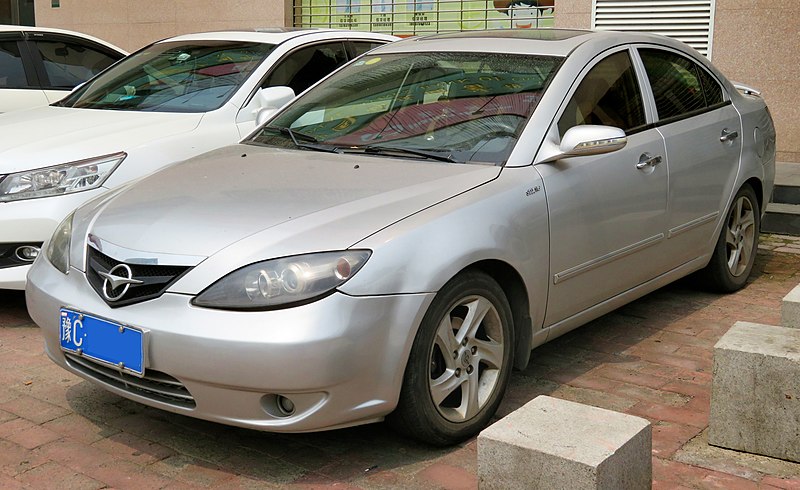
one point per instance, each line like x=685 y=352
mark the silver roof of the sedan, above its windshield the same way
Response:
x=548 y=42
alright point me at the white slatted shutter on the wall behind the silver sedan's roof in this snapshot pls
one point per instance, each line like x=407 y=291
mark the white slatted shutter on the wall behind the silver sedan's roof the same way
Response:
x=691 y=21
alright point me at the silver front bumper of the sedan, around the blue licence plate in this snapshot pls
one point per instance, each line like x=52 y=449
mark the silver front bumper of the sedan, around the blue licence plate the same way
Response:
x=340 y=360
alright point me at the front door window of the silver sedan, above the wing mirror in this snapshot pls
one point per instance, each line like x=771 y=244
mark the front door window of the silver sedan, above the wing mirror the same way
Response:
x=608 y=95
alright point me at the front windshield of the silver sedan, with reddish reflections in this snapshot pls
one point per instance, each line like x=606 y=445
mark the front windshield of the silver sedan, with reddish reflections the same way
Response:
x=462 y=107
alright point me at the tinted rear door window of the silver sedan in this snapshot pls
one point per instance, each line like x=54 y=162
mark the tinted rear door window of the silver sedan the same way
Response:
x=679 y=85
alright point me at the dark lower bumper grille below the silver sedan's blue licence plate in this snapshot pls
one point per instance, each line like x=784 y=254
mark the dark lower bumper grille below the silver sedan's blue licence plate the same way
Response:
x=155 y=385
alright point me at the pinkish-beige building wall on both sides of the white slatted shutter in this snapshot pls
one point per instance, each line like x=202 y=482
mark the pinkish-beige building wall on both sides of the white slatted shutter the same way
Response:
x=755 y=43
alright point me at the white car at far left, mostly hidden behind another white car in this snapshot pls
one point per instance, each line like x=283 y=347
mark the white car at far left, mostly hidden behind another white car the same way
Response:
x=39 y=66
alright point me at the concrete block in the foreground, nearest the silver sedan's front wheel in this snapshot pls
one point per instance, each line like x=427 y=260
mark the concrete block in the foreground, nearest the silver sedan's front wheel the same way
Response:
x=557 y=444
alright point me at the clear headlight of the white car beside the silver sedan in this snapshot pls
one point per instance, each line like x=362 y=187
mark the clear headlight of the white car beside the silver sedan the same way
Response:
x=60 y=179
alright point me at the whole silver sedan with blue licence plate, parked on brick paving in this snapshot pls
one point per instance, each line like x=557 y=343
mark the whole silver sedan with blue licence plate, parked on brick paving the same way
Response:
x=395 y=241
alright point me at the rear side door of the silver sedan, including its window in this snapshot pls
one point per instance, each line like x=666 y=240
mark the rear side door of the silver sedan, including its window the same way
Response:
x=703 y=139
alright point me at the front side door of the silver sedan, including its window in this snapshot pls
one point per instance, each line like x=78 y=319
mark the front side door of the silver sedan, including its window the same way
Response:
x=607 y=212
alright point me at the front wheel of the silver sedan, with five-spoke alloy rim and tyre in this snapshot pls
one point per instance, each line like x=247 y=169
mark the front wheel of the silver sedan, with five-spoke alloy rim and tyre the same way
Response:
x=460 y=363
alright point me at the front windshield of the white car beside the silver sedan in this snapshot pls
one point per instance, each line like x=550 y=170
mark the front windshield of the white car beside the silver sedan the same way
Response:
x=188 y=76
